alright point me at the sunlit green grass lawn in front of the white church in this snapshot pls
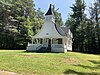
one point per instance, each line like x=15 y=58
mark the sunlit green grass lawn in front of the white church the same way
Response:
x=28 y=63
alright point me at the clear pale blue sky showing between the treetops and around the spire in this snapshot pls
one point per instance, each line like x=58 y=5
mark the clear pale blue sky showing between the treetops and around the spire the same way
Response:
x=63 y=5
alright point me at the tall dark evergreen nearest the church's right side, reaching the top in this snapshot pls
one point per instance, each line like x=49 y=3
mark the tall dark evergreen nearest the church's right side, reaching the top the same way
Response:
x=77 y=22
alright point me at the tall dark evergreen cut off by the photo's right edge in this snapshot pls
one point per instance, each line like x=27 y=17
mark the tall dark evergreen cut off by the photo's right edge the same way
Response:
x=95 y=25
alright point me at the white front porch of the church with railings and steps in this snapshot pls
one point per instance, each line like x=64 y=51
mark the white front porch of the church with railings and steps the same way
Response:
x=53 y=44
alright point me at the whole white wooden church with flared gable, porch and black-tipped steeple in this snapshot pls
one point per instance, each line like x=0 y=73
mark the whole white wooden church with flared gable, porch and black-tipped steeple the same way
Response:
x=51 y=37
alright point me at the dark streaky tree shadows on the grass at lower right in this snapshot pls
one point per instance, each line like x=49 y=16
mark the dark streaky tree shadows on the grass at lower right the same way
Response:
x=94 y=68
